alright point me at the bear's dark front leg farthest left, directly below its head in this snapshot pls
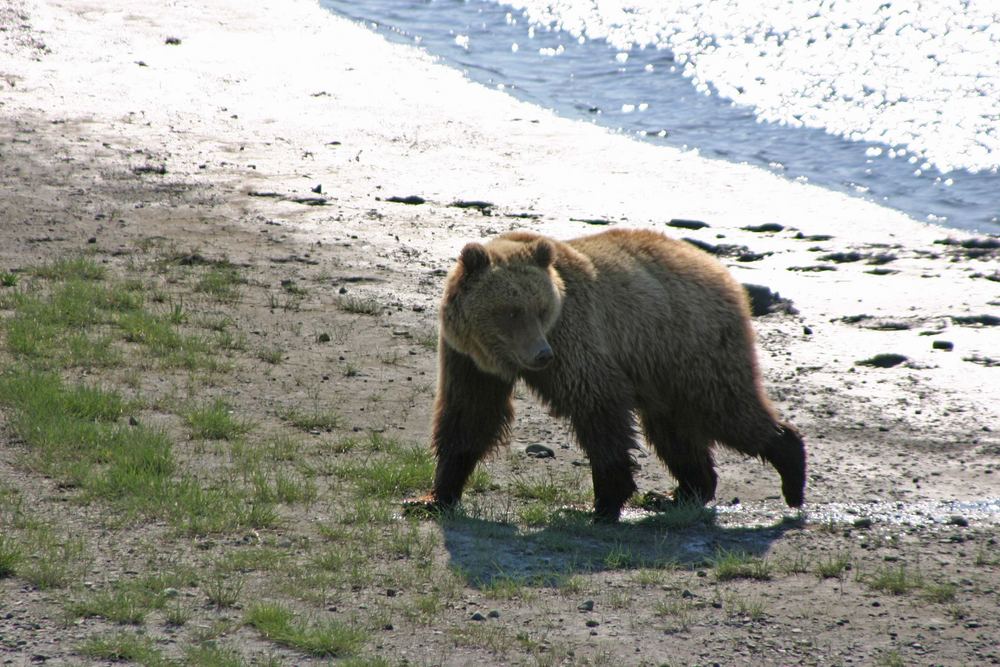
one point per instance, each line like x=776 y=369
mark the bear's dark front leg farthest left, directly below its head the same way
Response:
x=472 y=415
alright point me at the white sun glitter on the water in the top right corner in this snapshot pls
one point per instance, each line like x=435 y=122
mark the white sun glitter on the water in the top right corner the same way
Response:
x=924 y=75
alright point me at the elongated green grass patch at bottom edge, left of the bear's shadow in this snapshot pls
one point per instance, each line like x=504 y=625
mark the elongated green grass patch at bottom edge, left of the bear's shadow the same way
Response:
x=279 y=624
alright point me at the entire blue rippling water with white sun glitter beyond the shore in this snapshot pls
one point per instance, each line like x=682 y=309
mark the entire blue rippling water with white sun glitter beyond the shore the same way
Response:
x=898 y=102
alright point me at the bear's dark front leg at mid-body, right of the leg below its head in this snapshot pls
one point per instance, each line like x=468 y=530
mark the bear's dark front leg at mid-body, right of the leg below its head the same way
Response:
x=608 y=437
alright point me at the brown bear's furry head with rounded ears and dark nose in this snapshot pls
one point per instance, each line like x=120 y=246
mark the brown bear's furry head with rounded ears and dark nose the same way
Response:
x=500 y=302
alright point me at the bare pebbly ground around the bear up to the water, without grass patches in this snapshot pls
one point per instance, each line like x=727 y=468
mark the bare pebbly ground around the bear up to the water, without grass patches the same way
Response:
x=341 y=175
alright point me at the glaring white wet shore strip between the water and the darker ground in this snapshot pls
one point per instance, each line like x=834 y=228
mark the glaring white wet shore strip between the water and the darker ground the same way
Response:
x=217 y=109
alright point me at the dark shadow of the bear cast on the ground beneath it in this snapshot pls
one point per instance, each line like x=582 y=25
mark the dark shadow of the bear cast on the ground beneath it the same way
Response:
x=489 y=553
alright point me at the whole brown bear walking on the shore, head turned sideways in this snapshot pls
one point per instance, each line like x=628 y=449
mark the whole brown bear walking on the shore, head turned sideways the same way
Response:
x=604 y=328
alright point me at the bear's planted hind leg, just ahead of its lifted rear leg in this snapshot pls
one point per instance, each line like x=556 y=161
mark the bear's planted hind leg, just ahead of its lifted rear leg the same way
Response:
x=687 y=456
